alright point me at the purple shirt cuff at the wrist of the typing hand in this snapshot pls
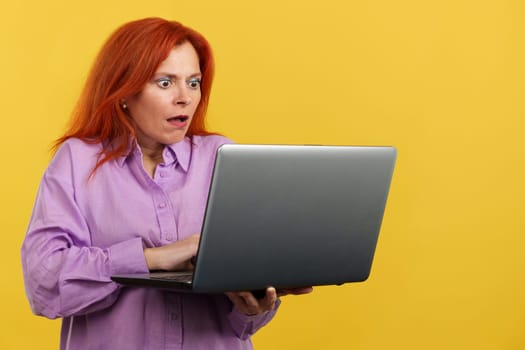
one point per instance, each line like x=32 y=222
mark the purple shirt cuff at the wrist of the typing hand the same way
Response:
x=127 y=257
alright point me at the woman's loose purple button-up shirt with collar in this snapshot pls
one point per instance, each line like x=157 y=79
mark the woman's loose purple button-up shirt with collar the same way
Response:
x=84 y=230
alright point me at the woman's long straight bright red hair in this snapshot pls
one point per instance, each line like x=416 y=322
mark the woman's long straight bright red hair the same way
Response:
x=128 y=59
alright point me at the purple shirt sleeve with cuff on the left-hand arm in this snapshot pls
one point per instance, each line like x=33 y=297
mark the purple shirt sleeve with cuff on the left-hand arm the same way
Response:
x=64 y=274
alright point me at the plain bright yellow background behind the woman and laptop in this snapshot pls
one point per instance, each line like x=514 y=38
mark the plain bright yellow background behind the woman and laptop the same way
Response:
x=443 y=81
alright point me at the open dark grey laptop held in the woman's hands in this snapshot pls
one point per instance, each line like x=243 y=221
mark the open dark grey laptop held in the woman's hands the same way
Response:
x=286 y=216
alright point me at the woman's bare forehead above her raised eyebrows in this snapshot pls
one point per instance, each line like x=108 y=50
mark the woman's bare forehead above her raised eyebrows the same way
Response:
x=182 y=59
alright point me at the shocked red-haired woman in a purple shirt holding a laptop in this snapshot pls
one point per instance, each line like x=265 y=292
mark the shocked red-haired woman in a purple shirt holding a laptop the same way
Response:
x=125 y=193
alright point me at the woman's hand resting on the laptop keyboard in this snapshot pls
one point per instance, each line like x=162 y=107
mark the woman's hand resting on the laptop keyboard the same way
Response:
x=174 y=256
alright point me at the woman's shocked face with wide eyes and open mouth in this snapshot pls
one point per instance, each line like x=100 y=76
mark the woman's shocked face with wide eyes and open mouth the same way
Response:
x=162 y=112
